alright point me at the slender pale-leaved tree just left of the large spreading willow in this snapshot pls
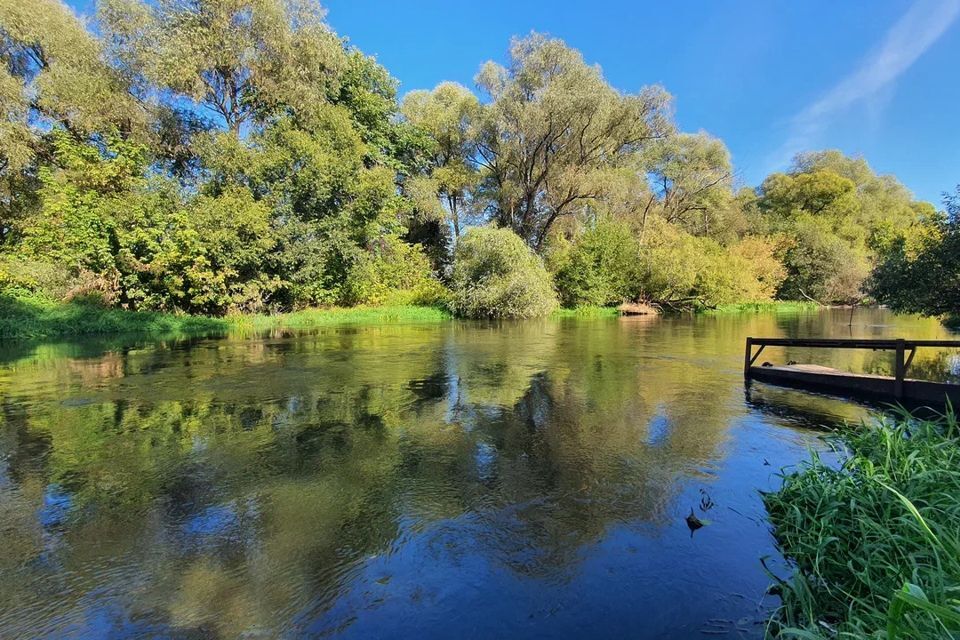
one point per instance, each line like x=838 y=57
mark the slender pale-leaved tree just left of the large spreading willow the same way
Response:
x=447 y=115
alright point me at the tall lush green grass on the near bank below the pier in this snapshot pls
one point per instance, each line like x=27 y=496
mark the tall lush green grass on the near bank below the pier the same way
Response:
x=876 y=542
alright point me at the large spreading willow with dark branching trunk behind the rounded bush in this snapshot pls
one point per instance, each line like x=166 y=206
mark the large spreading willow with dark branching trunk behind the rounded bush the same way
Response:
x=555 y=132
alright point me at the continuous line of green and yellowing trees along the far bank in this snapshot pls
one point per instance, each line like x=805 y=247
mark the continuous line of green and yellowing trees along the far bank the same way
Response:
x=223 y=156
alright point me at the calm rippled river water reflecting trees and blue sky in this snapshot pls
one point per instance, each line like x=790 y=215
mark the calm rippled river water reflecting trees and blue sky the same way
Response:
x=455 y=480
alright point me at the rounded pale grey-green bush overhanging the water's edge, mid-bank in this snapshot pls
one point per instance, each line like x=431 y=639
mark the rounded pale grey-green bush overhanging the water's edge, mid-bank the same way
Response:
x=496 y=275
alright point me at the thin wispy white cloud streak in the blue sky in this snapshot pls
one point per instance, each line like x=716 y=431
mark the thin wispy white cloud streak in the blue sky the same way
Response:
x=915 y=32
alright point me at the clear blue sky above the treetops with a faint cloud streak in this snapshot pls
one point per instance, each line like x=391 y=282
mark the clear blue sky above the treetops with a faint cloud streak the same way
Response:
x=770 y=77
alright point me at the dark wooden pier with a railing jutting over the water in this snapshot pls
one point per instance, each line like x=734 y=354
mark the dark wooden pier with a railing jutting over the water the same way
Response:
x=896 y=388
